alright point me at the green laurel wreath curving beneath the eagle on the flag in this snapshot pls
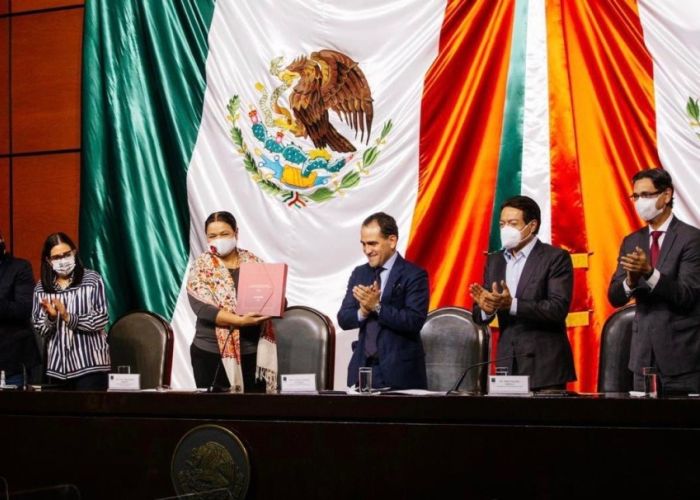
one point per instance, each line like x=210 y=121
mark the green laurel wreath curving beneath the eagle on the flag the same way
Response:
x=361 y=167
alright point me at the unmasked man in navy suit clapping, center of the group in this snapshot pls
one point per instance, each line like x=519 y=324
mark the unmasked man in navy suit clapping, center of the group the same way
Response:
x=387 y=299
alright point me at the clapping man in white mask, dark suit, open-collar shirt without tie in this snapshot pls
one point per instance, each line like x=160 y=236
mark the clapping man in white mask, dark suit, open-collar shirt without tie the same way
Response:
x=532 y=320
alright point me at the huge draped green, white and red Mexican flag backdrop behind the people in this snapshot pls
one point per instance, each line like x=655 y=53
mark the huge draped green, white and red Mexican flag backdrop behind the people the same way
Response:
x=303 y=117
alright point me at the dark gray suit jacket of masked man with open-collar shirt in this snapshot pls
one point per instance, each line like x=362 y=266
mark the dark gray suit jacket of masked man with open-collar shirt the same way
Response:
x=539 y=327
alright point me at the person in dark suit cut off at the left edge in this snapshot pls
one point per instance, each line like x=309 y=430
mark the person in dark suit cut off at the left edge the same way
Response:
x=17 y=343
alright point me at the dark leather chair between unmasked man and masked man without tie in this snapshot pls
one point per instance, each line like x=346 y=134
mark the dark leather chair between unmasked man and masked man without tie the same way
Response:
x=453 y=342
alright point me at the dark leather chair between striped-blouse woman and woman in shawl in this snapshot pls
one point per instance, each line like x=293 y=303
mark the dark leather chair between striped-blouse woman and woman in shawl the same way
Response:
x=144 y=341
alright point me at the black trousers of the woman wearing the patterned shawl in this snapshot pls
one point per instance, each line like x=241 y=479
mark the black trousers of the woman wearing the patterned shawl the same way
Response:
x=204 y=365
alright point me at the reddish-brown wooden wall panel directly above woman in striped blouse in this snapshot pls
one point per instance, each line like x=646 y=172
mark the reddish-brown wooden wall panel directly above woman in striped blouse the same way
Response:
x=46 y=198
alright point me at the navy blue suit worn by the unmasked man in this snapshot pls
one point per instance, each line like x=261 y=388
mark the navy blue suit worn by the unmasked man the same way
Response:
x=404 y=308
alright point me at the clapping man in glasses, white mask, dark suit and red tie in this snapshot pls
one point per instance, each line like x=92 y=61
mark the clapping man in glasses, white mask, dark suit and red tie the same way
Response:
x=659 y=267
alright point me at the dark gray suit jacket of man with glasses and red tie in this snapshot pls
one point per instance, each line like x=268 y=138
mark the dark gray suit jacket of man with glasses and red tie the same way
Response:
x=667 y=320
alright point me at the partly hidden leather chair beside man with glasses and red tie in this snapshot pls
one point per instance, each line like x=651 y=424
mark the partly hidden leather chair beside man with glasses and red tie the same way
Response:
x=613 y=374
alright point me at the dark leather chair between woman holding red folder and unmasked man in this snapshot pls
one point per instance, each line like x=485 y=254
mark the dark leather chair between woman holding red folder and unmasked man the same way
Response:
x=306 y=344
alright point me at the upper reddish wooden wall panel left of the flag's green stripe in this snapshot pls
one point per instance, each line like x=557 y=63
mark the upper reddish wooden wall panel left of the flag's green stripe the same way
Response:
x=46 y=55
